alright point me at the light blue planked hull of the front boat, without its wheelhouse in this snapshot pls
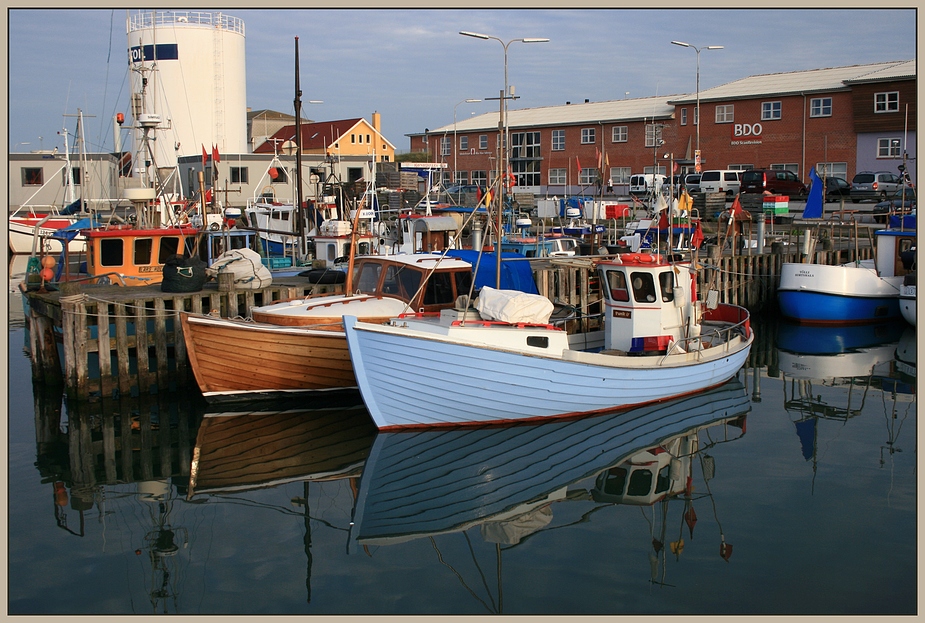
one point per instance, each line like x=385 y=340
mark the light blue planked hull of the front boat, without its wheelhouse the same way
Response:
x=416 y=379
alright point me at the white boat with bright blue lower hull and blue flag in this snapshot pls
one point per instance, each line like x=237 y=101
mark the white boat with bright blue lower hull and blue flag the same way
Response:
x=858 y=292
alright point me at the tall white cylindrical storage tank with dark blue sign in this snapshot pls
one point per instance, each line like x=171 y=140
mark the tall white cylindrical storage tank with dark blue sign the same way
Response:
x=196 y=97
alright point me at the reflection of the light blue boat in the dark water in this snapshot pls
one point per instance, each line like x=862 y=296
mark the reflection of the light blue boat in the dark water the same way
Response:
x=424 y=483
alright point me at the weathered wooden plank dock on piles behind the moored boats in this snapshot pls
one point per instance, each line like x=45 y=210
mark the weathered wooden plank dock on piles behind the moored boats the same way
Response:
x=102 y=342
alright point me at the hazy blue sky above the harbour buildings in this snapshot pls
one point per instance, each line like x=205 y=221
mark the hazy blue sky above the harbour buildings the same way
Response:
x=413 y=67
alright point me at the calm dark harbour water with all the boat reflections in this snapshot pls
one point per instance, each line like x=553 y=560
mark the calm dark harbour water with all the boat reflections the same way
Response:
x=792 y=490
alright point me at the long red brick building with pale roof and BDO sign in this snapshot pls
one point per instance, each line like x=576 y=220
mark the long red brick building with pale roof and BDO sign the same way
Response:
x=843 y=120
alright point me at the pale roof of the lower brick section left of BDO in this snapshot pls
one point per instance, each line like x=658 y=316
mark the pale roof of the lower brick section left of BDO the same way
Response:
x=635 y=109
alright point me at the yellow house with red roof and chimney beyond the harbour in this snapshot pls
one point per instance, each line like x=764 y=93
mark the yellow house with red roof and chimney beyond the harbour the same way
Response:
x=347 y=137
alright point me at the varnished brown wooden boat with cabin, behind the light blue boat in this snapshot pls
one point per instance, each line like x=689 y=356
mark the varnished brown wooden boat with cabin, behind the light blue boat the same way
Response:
x=299 y=345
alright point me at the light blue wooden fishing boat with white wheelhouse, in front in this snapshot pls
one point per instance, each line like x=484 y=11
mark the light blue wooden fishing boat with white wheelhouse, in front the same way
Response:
x=505 y=362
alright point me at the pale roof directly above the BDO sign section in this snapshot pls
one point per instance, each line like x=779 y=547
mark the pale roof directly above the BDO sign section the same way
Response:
x=797 y=82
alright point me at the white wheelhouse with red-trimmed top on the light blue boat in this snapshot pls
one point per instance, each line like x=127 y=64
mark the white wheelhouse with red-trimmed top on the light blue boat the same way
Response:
x=647 y=302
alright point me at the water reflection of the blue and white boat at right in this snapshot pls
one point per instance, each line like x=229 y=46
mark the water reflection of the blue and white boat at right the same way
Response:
x=864 y=362
